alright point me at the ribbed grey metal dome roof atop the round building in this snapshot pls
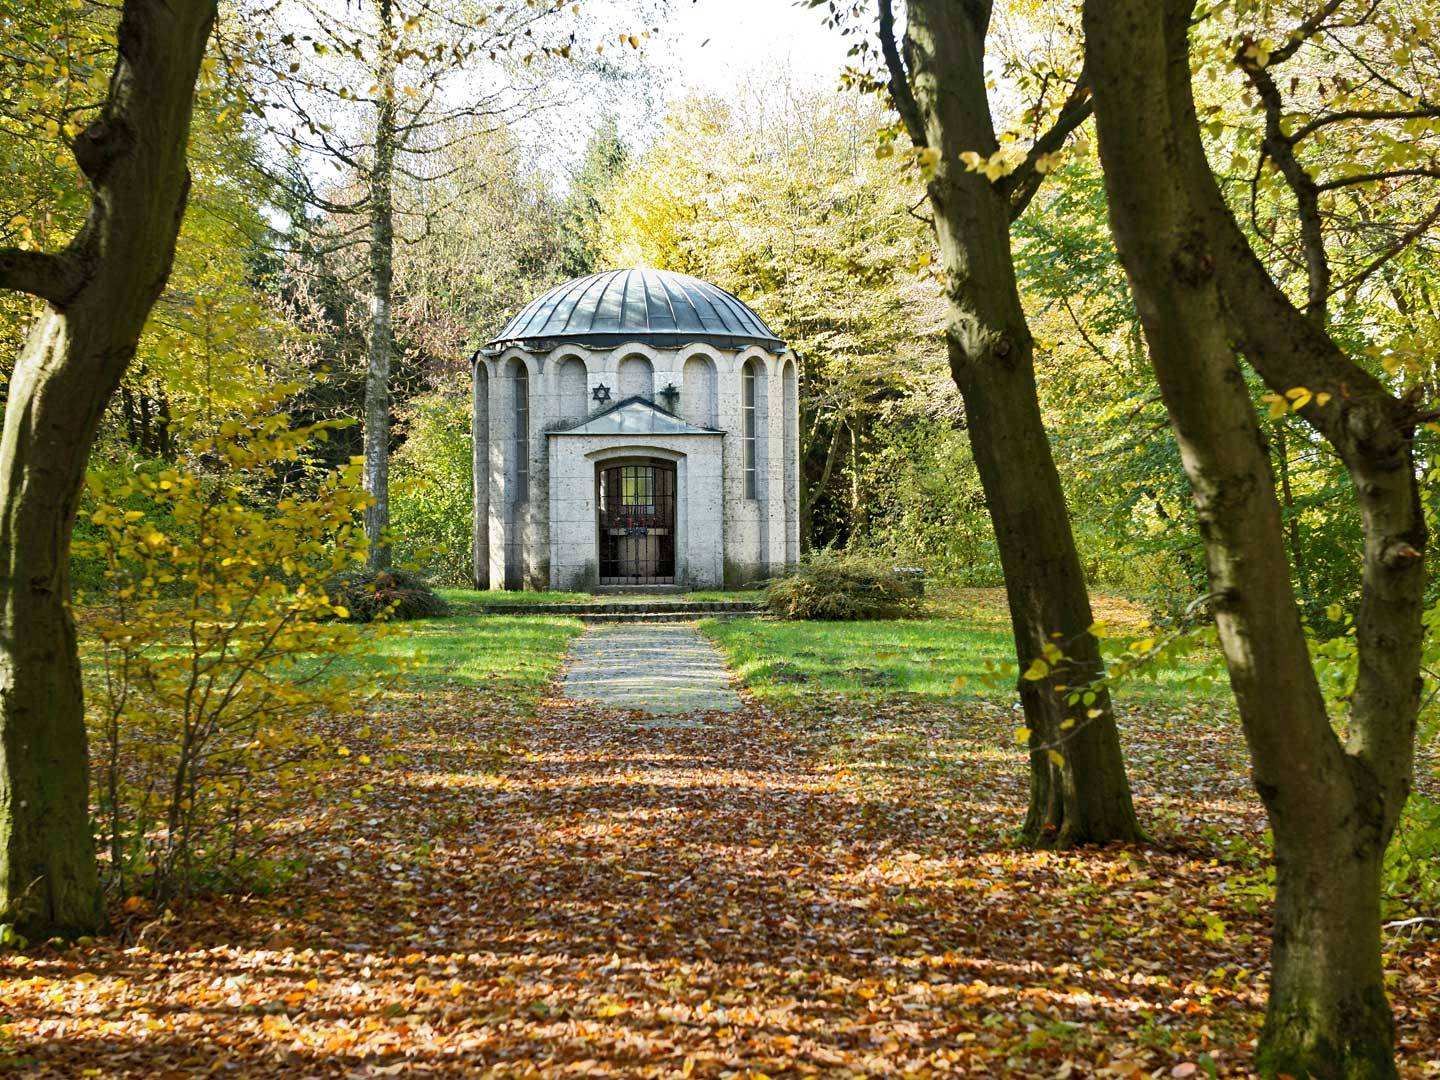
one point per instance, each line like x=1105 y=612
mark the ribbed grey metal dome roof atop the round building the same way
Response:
x=654 y=307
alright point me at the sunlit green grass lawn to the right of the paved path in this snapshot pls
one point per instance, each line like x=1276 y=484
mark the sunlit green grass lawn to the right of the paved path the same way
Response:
x=787 y=662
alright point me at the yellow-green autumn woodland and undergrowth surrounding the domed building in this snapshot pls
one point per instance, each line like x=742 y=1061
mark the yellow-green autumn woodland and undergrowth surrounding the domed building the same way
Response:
x=369 y=202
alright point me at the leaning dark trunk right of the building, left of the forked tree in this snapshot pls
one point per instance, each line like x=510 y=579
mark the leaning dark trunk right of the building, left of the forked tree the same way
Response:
x=1079 y=788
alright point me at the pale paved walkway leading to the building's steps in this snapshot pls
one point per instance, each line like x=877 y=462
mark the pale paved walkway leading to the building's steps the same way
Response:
x=659 y=669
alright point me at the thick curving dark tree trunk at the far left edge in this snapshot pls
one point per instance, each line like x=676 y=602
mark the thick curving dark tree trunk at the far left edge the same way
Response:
x=99 y=294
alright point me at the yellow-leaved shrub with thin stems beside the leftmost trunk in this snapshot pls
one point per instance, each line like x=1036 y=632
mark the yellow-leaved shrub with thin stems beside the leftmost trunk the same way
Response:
x=217 y=644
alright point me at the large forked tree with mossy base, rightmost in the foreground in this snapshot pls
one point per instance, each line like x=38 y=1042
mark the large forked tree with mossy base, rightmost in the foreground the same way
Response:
x=1333 y=784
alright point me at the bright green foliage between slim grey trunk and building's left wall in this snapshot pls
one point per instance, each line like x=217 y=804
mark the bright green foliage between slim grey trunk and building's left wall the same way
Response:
x=431 y=489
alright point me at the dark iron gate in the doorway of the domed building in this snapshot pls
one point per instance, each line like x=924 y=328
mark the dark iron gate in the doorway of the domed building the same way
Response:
x=637 y=523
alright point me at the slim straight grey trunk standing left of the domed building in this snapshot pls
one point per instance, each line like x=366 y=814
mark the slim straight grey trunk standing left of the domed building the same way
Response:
x=382 y=286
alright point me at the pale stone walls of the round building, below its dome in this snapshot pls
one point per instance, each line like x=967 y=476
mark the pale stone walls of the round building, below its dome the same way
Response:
x=542 y=443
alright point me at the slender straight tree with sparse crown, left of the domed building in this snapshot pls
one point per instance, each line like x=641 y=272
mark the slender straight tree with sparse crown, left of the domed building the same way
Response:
x=391 y=97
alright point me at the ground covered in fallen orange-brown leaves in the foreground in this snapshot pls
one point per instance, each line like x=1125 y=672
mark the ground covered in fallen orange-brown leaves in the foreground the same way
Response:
x=822 y=892
